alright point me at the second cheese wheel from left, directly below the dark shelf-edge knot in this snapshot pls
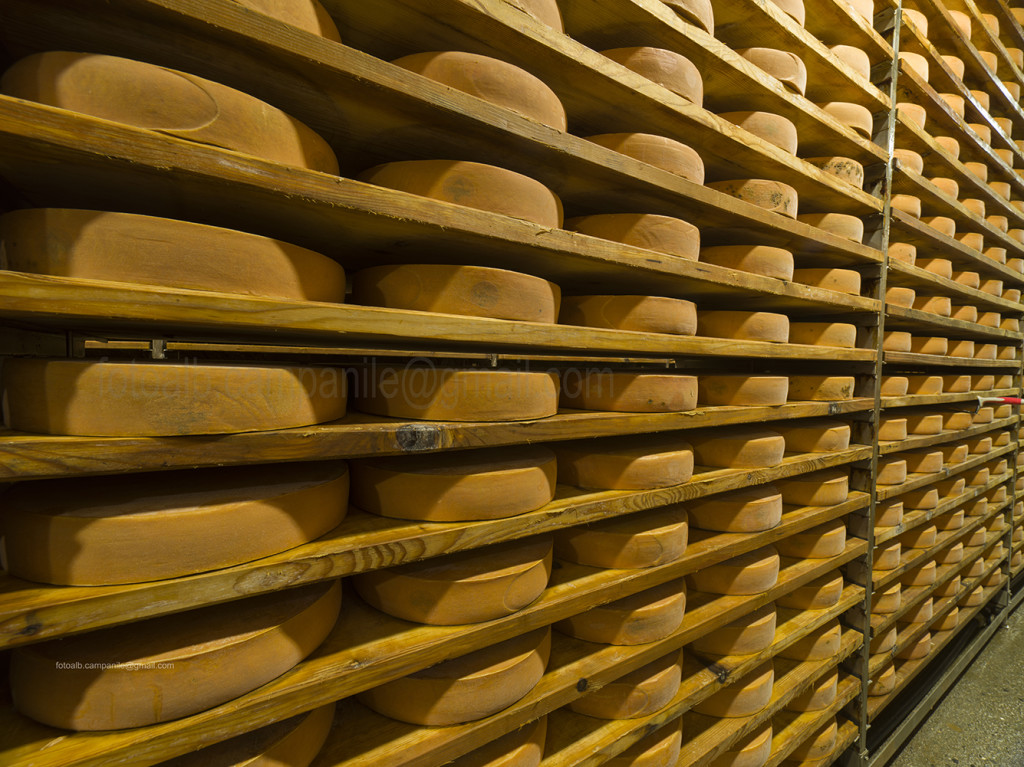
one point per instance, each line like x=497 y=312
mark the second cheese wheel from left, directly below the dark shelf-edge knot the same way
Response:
x=493 y=484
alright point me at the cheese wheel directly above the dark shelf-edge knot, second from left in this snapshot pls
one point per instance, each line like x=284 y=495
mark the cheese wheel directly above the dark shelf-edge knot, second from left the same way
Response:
x=429 y=394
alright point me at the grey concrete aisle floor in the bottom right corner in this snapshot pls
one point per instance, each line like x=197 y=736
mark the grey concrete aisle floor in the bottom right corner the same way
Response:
x=982 y=720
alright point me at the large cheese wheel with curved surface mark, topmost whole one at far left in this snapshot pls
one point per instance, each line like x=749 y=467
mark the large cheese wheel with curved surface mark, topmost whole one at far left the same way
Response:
x=168 y=102
